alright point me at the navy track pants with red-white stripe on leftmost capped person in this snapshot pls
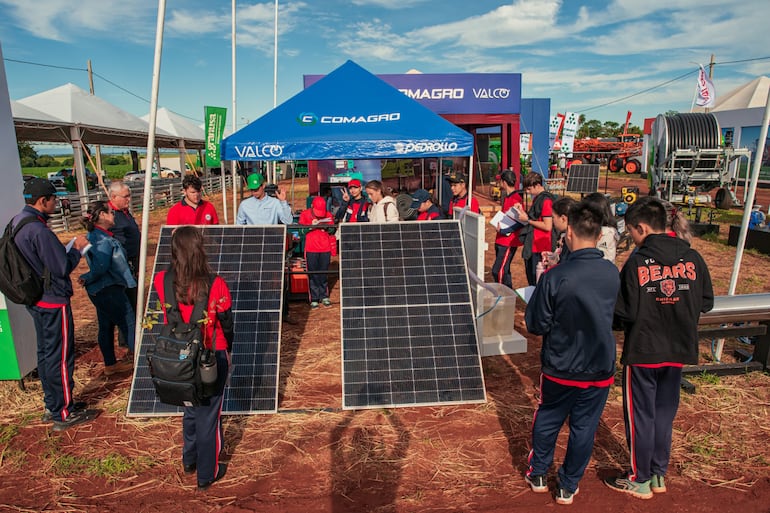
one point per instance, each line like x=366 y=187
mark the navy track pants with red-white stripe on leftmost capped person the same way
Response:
x=55 y=356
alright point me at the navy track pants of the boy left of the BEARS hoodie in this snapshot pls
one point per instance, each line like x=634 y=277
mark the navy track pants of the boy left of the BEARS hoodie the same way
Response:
x=584 y=408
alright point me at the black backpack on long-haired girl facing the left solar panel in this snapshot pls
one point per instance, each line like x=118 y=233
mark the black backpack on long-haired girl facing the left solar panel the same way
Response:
x=175 y=361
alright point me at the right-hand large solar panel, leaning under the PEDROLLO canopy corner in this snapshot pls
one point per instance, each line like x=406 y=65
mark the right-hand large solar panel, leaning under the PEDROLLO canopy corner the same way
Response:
x=408 y=328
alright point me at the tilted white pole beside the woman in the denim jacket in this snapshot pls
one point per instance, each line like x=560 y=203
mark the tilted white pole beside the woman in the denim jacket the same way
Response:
x=148 y=181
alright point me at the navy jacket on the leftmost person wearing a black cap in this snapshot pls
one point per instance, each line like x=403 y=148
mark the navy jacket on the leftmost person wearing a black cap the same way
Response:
x=43 y=250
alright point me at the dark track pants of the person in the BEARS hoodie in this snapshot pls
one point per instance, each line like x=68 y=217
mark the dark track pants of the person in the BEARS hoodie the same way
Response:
x=650 y=402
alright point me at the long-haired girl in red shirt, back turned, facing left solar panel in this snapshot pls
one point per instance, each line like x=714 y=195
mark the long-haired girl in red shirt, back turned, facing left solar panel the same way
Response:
x=192 y=282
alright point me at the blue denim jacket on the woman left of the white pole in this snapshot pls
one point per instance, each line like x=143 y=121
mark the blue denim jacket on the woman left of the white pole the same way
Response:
x=108 y=263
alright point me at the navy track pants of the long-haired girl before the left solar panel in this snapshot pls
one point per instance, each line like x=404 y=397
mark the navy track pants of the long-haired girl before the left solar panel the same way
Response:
x=202 y=429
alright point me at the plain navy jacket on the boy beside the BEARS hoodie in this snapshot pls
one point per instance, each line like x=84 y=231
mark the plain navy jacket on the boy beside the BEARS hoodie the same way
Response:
x=572 y=308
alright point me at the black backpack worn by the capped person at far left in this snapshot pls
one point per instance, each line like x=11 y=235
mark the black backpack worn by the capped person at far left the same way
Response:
x=18 y=280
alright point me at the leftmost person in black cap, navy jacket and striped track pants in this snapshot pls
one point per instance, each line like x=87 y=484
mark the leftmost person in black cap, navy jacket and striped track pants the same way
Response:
x=52 y=315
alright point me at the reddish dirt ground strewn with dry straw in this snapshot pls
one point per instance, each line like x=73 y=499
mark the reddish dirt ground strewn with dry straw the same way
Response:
x=313 y=456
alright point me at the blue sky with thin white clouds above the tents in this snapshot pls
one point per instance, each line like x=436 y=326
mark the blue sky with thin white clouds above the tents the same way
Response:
x=582 y=54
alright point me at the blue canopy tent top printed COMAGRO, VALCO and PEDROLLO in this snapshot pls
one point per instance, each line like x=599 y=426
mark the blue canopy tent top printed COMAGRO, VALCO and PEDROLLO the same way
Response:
x=349 y=114
